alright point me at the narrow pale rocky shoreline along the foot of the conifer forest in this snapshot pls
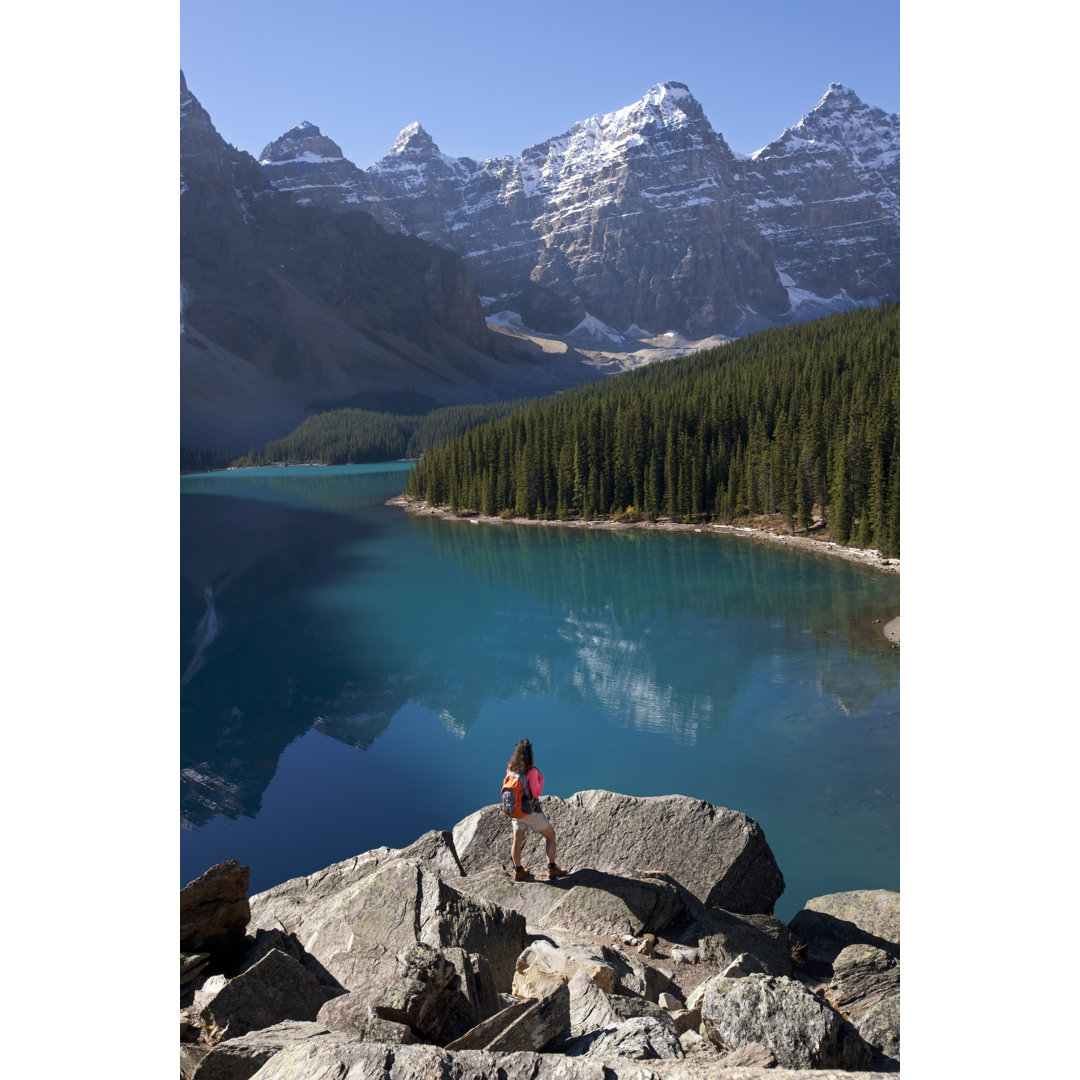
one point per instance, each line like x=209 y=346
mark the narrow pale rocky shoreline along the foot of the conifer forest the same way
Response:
x=870 y=558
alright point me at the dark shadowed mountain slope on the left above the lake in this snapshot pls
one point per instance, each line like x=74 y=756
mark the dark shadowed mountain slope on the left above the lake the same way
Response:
x=286 y=305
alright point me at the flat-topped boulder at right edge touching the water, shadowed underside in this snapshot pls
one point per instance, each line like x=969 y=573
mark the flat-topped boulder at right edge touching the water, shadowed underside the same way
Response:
x=861 y=917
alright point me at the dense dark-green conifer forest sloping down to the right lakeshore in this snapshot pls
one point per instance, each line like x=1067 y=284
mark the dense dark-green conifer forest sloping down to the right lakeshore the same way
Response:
x=800 y=423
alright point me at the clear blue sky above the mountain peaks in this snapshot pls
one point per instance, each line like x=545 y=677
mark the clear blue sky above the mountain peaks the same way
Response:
x=492 y=79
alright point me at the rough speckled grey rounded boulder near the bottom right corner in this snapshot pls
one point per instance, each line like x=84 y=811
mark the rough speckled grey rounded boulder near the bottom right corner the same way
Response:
x=801 y=1030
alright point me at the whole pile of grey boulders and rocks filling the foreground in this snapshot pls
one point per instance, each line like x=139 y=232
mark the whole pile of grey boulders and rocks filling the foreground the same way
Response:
x=657 y=958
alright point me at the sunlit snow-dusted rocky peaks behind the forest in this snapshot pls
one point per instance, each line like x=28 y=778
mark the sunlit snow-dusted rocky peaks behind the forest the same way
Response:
x=643 y=219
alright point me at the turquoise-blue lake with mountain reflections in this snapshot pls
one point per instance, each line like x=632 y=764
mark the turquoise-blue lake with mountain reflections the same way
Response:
x=354 y=677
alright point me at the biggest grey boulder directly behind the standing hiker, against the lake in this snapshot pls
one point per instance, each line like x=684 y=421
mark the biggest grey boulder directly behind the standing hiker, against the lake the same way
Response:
x=720 y=856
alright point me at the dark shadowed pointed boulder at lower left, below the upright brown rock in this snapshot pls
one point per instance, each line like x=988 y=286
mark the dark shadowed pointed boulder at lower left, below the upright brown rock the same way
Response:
x=275 y=990
